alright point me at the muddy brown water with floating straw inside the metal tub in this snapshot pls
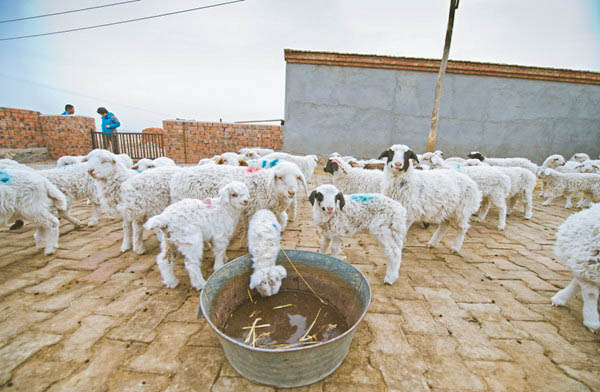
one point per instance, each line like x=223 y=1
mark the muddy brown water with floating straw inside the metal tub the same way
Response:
x=282 y=326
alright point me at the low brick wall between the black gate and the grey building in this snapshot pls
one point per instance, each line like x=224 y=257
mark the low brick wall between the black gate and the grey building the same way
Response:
x=189 y=141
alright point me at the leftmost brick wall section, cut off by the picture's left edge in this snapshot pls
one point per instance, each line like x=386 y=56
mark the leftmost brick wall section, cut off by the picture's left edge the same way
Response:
x=20 y=129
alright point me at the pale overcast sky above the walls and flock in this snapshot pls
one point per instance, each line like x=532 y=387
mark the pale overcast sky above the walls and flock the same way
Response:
x=227 y=62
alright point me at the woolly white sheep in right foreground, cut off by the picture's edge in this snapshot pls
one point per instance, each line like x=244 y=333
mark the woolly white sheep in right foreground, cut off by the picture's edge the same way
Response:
x=578 y=247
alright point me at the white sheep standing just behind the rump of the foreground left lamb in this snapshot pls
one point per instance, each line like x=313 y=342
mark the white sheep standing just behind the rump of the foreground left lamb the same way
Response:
x=143 y=196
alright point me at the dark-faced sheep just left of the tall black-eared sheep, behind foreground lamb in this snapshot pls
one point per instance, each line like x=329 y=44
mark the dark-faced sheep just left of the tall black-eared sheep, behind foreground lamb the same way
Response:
x=350 y=179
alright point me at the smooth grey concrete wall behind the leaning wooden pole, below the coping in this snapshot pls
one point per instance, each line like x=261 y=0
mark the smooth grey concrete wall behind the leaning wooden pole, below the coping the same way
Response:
x=362 y=111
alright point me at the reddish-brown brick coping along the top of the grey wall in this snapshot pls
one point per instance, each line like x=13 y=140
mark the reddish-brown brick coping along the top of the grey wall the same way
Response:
x=432 y=65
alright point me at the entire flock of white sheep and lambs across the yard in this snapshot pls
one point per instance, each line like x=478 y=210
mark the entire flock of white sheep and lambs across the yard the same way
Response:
x=255 y=189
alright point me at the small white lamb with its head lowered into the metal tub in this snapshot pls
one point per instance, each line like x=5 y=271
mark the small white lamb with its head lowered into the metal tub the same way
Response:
x=264 y=237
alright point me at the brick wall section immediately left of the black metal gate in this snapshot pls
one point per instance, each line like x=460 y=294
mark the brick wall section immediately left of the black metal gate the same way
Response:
x=67 y=135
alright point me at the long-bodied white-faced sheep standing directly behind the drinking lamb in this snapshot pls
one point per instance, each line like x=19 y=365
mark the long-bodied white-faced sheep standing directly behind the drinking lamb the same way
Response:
x=272 y=189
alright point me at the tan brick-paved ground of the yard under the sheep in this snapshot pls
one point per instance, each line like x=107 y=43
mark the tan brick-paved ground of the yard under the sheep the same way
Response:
x=91 y=319
